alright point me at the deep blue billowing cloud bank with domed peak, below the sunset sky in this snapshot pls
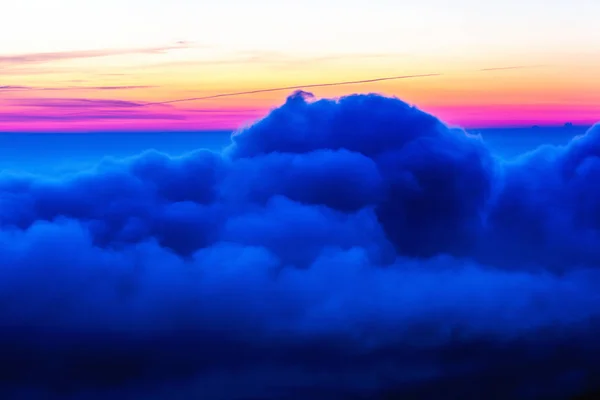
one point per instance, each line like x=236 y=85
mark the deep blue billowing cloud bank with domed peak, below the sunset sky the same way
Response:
x=337 y=248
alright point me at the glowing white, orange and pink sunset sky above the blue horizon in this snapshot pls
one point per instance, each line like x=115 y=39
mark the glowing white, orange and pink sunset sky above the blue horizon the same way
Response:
x=69 y=65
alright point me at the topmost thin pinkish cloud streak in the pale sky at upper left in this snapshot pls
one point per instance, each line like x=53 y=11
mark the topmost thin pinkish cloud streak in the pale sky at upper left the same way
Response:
x=40 y=58
